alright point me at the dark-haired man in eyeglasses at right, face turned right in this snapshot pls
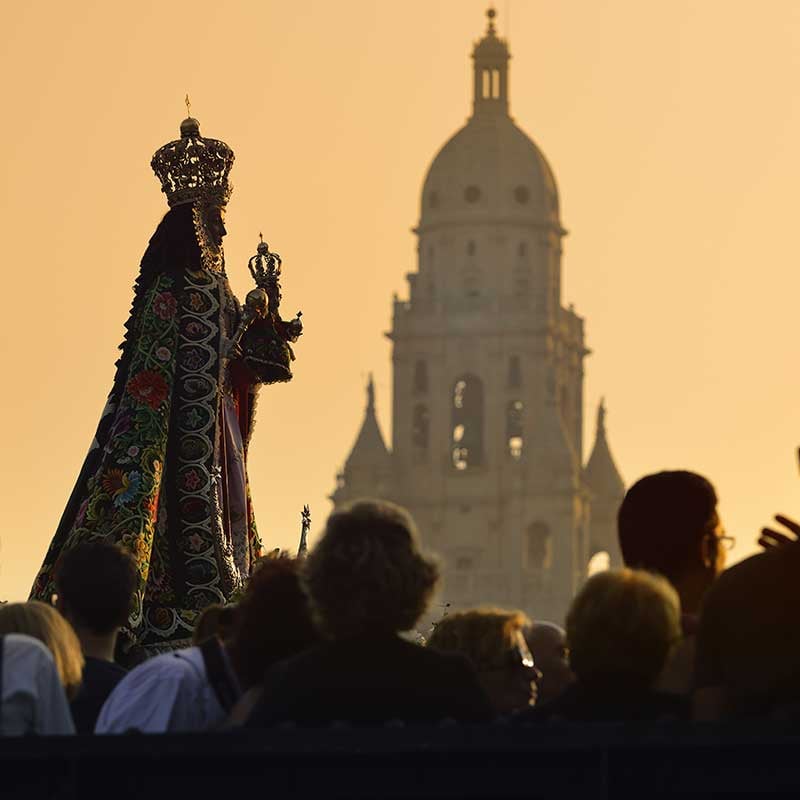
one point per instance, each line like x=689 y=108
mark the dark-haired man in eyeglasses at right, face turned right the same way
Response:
x=669 y=524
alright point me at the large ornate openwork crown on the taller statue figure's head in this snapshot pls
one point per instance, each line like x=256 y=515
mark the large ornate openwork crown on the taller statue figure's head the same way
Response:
x=194 y=169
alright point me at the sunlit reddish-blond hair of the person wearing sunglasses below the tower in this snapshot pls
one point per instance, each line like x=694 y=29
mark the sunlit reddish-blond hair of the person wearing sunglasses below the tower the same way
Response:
x=483 y=635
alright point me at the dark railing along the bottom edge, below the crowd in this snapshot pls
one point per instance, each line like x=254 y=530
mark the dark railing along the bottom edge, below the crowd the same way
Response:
x=495 y=761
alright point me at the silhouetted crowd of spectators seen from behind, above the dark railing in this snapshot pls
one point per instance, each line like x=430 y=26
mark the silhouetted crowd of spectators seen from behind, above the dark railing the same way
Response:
x=334 y=637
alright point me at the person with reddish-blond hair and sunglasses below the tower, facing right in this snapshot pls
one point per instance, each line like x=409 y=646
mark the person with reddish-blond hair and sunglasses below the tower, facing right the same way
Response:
x=493 y=642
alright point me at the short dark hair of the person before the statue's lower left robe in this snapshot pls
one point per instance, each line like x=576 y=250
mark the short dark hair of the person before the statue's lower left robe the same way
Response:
x=96 y=582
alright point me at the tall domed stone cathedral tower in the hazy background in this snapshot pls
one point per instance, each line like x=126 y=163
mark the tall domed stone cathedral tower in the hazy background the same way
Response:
x=488 y=374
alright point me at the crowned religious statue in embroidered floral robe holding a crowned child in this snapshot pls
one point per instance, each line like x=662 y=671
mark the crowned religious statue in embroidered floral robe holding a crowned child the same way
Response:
x=166 y=473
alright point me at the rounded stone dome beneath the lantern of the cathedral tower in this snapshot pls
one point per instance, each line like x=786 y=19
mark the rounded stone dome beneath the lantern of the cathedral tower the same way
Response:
x=490 y=170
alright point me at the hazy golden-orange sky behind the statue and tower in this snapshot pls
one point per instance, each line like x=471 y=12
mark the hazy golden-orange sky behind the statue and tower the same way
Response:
x=672 y=128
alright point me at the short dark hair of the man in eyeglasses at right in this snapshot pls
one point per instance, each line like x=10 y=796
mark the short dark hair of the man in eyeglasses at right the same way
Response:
x=662 y=519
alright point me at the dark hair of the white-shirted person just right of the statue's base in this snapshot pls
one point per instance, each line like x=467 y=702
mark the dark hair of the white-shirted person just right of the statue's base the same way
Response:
x=272 y=621
